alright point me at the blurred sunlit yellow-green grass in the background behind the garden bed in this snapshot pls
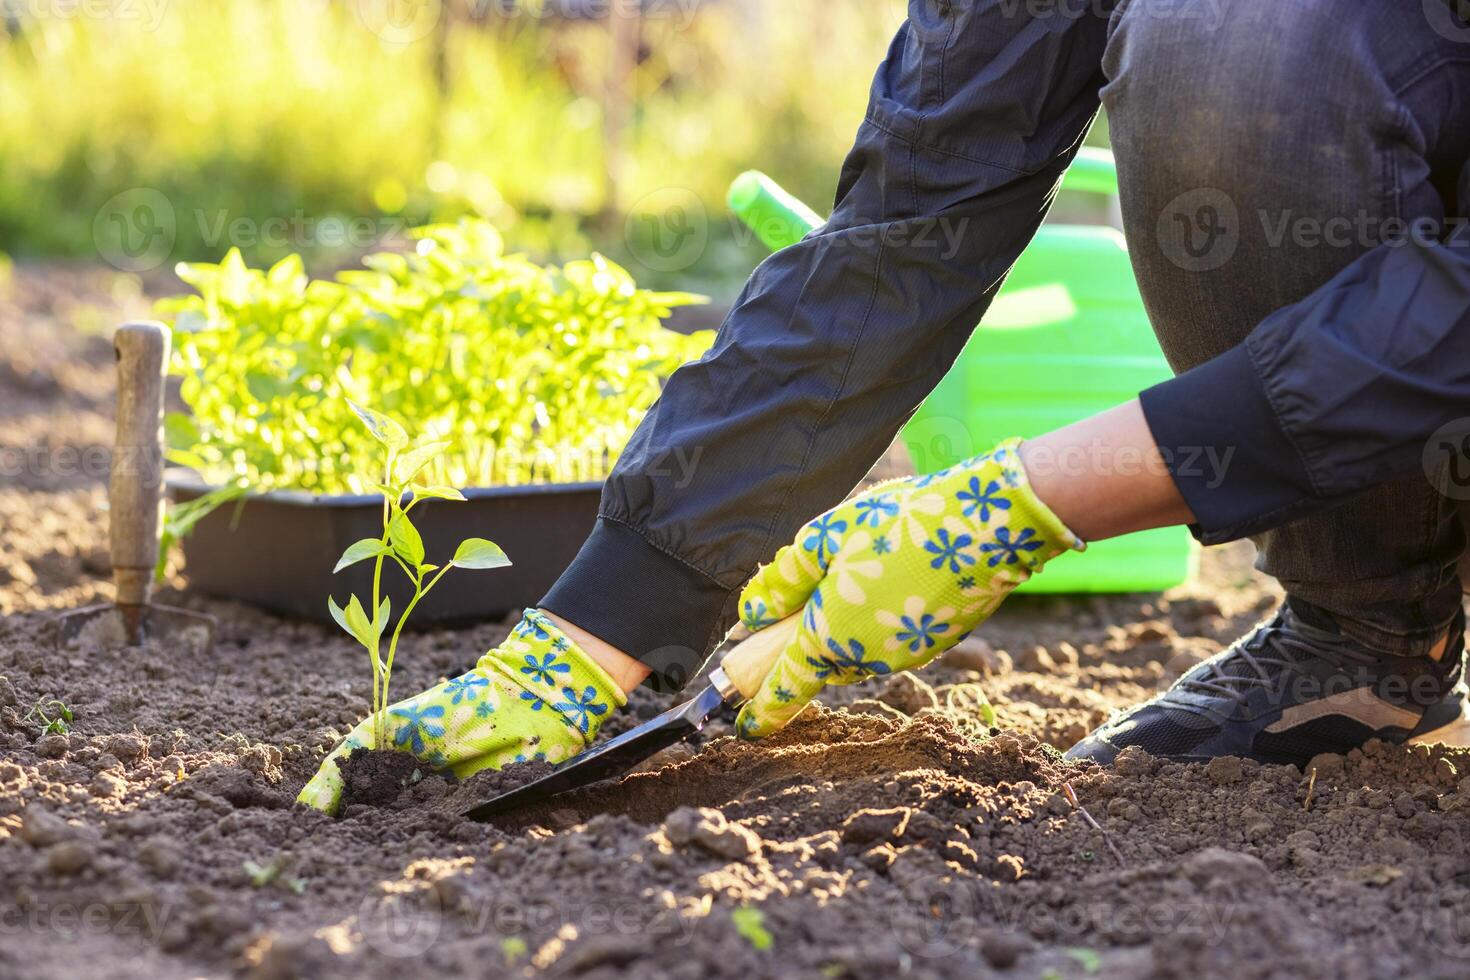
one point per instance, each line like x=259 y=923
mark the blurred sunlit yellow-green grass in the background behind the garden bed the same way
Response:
x=574 y=126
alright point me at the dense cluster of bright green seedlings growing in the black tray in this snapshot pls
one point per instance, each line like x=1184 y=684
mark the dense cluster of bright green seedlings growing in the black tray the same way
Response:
x=537 y=374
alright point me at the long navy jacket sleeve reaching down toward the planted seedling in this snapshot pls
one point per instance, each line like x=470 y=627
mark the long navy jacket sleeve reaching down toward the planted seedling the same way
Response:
x=974 y=118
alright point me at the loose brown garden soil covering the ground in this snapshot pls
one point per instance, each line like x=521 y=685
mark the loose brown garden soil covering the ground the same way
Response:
x=889 y=837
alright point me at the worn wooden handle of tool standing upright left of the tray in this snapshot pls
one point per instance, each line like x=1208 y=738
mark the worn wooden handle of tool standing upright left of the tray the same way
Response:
x=137 y=462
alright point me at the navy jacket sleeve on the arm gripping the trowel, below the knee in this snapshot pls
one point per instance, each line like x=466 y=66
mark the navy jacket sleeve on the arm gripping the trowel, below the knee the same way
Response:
x=1327 y=397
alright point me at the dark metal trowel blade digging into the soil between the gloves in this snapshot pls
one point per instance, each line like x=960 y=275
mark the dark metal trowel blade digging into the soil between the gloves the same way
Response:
x=612 y=759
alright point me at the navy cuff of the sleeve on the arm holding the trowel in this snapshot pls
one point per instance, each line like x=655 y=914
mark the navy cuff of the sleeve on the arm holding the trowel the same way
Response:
x=1227 y=449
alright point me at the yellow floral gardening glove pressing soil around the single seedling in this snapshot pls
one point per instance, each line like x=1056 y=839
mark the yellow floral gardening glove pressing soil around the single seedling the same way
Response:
x=537 y=697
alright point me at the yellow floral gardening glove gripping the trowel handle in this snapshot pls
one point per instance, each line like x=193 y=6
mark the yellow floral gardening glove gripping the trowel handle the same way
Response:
x=893 y=578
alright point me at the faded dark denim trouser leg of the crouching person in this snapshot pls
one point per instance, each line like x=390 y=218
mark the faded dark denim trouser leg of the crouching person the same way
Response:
x=1263 y=148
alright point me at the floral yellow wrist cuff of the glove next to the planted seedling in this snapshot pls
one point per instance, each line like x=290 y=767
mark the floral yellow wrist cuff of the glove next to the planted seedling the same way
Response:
x=552 y=669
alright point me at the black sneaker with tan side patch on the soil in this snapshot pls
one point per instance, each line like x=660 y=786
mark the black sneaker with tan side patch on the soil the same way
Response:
x=1287 y=693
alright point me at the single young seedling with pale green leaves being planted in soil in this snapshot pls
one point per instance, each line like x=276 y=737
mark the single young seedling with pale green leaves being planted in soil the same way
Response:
x=404 y=546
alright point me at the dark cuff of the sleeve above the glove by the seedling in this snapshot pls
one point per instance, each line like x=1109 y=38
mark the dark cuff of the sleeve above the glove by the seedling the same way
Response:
x=646 y=603
